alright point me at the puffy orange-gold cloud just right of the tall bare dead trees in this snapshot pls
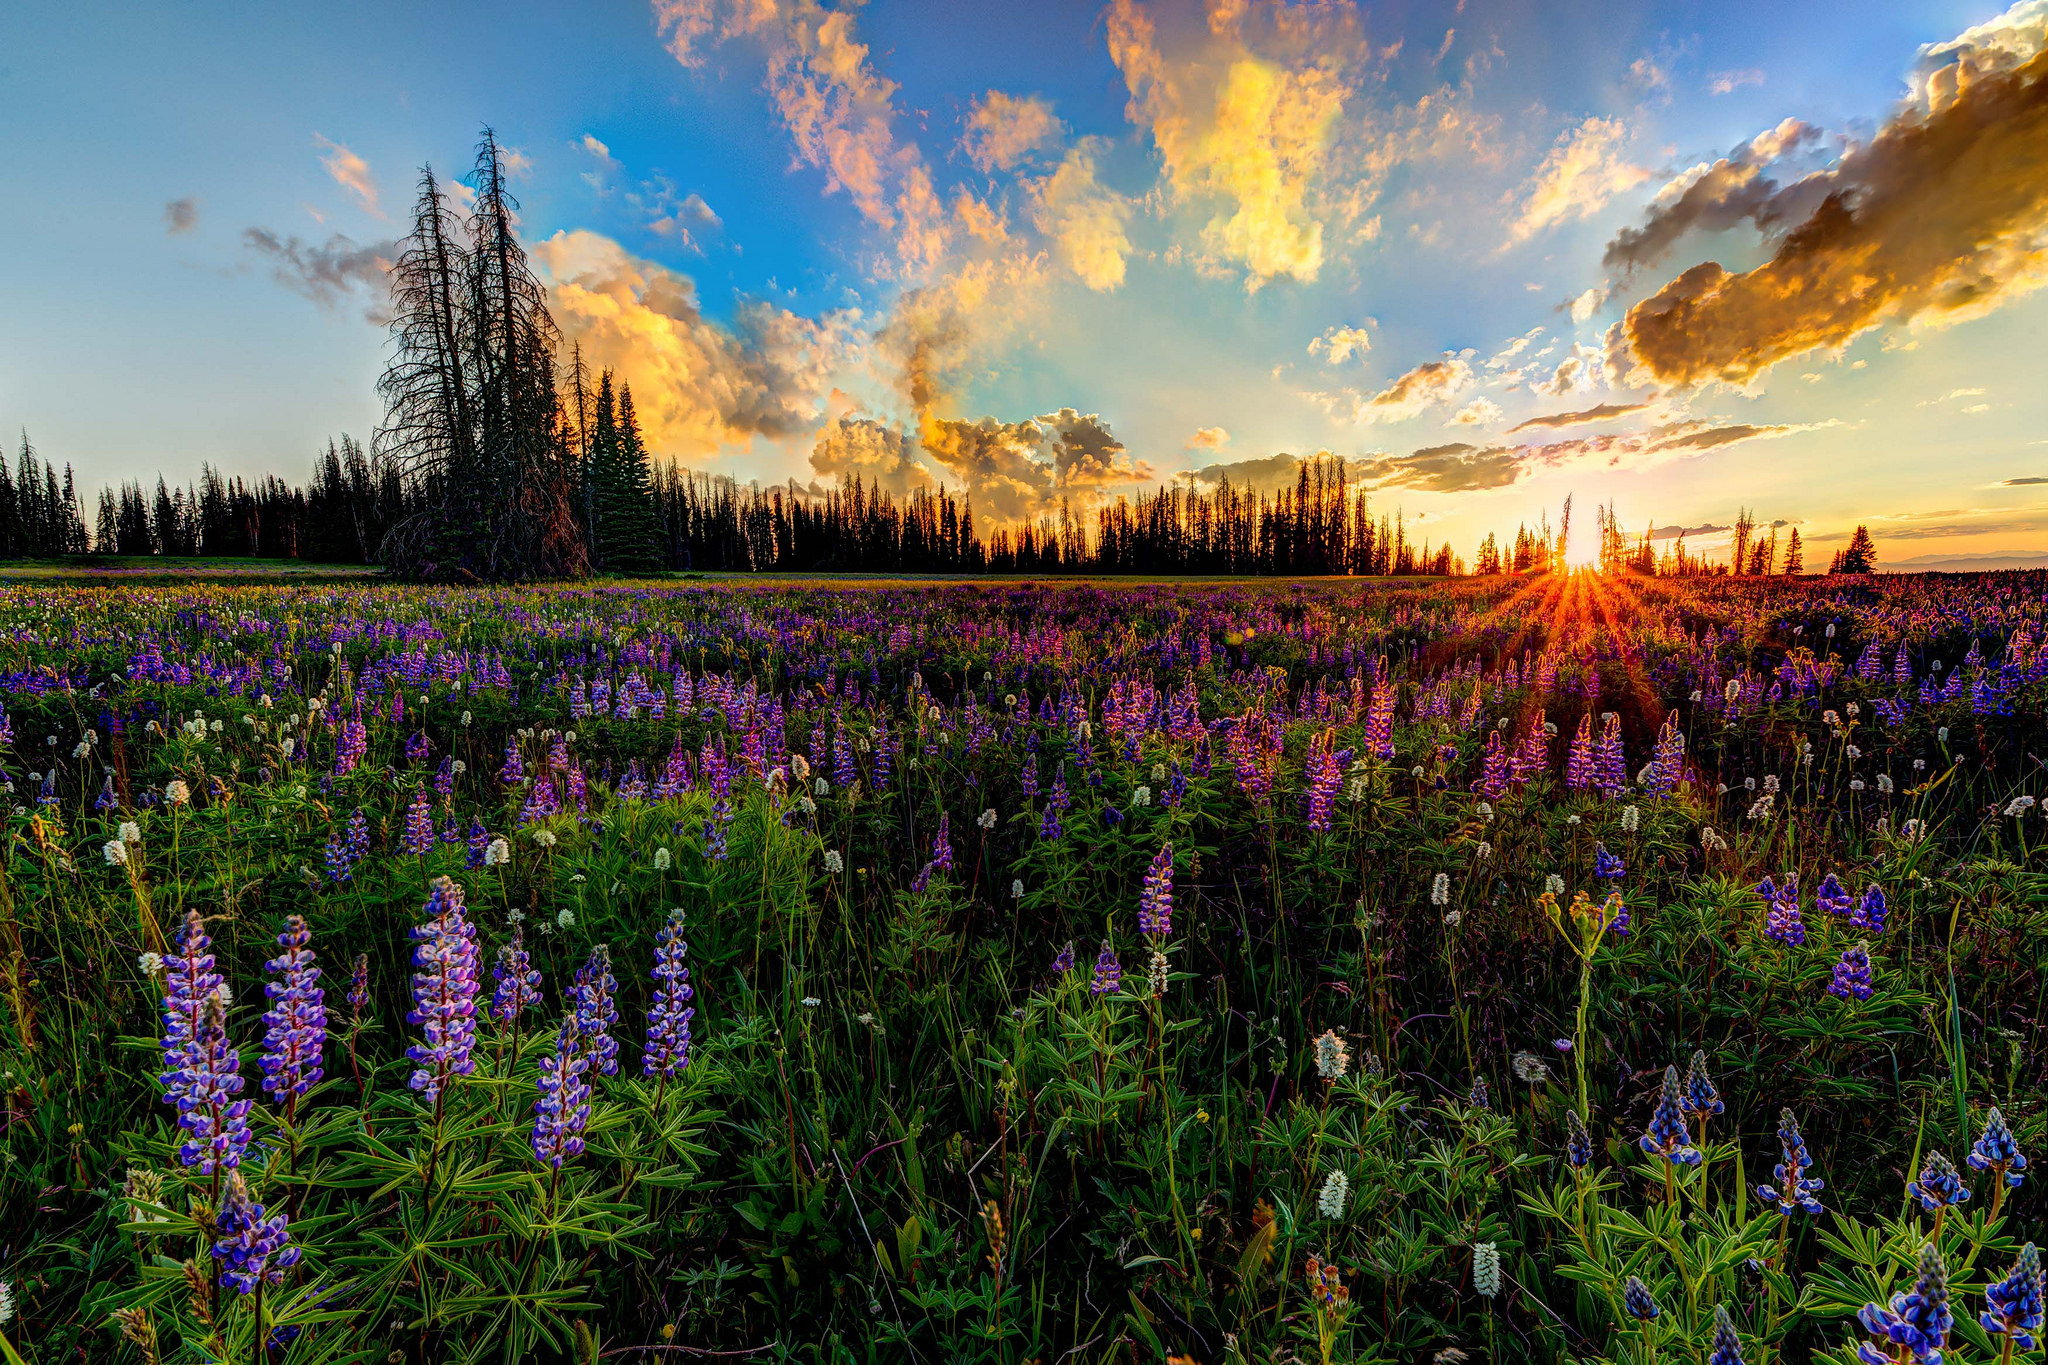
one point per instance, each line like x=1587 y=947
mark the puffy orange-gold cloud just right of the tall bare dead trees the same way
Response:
x=697 y=386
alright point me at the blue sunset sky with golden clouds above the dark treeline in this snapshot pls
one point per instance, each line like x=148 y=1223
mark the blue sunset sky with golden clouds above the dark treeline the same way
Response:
x=1680 y=259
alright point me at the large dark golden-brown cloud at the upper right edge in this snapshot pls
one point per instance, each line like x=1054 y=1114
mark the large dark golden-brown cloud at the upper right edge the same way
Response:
x=1938 y=218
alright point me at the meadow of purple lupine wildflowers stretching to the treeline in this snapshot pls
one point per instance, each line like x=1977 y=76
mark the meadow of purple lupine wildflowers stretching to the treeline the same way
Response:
x=1543 y=969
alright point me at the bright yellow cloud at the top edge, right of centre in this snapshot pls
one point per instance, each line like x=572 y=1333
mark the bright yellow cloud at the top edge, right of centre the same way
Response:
x=1244 y=120
